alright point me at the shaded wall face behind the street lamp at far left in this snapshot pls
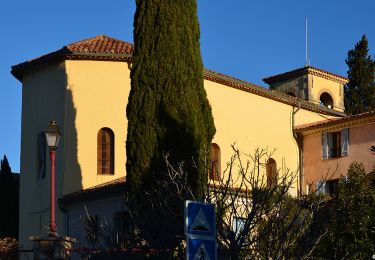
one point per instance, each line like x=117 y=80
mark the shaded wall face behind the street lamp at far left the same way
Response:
x=46 y=97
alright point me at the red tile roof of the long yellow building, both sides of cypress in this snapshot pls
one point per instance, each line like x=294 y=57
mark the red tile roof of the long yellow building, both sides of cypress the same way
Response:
x=102 y=47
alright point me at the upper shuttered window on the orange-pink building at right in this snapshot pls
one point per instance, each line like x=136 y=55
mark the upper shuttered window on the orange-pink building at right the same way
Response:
x=335 y=144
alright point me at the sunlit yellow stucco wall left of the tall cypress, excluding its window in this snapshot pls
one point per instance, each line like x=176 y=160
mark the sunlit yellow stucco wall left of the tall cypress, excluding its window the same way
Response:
x=100 y=92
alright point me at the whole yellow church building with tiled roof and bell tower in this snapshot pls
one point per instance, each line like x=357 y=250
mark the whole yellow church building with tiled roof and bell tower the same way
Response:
x=84 y=86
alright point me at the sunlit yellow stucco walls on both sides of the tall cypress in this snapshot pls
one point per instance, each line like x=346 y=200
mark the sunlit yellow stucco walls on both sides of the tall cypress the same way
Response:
x=99 y=92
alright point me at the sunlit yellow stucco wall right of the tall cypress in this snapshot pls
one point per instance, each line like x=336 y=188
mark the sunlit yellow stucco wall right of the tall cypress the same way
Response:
x=251 y=121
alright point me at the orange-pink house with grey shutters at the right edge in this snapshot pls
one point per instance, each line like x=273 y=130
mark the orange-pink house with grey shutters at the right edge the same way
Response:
x=330 y=146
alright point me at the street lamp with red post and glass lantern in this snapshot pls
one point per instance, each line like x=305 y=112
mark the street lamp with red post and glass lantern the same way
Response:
x=53 y=137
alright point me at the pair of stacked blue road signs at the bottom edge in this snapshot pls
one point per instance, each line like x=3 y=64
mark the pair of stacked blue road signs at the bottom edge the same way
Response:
x=200 y=230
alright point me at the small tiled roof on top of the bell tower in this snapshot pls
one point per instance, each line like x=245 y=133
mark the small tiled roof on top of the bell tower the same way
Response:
x=303 y=71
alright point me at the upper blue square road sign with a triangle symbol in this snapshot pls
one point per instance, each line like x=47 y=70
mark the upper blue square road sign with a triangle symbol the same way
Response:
x=200 y=219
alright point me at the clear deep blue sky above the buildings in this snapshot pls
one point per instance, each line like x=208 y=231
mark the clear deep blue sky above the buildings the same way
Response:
x=246 y=39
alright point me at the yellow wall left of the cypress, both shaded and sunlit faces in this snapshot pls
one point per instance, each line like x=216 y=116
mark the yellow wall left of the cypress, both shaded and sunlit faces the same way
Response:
x=83 y=97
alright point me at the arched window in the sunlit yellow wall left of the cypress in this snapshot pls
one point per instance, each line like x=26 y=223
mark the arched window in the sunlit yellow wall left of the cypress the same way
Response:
x=106 y=151
